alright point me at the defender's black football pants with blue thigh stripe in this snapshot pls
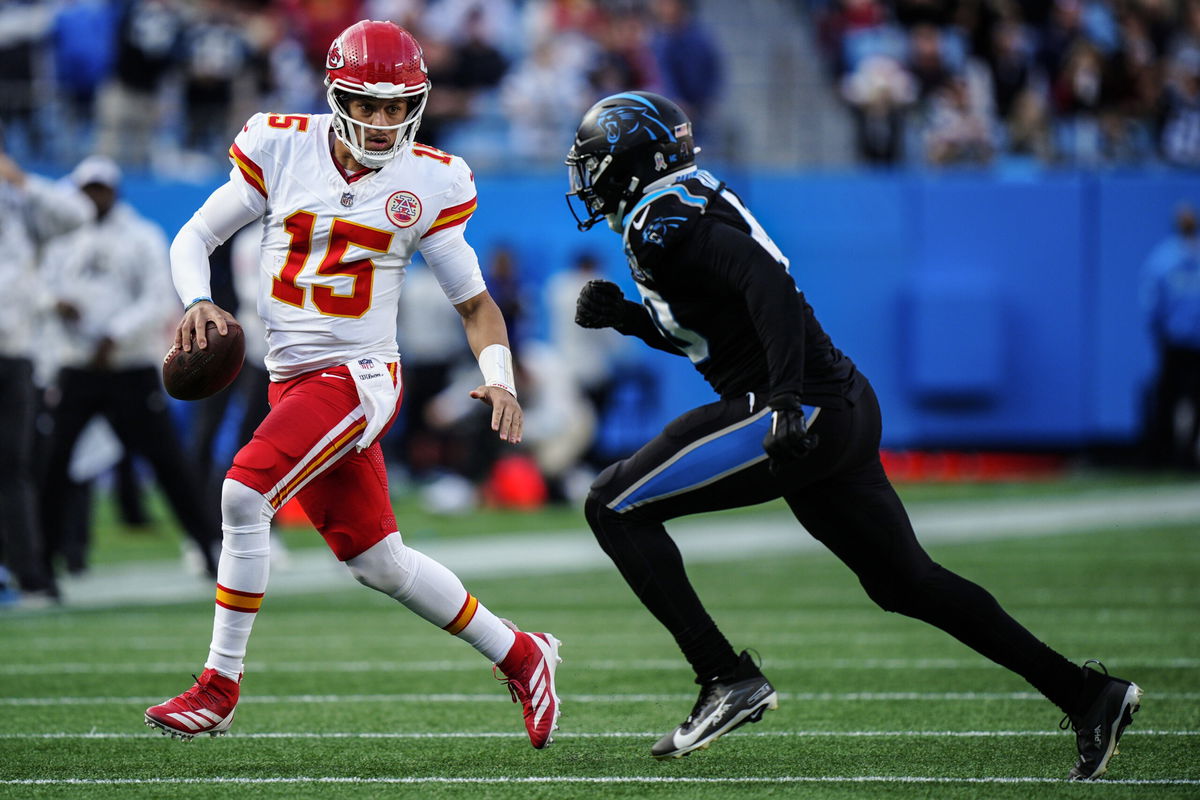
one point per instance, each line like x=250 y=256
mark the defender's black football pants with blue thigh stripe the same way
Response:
x=712 y=459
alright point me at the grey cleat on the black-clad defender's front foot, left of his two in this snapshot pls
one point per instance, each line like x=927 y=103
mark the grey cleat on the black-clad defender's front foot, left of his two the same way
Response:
x=723 y=706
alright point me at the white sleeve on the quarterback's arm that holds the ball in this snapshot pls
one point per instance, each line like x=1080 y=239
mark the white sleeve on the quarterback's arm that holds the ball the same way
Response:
x=223 y=215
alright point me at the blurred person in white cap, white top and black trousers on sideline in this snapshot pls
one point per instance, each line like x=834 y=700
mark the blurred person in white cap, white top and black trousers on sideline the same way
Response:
x=110 y=286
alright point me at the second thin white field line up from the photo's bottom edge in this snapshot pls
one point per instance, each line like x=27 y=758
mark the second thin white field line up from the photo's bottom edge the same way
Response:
x=608 y=735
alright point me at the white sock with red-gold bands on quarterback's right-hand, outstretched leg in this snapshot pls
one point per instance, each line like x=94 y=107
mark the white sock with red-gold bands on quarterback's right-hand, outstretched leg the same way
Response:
x=434 y=593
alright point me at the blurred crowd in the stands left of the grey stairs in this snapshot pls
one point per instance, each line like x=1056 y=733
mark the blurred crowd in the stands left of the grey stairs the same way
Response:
x=166 y=83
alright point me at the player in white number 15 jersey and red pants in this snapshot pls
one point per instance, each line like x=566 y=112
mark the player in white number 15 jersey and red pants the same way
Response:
x=346 y=200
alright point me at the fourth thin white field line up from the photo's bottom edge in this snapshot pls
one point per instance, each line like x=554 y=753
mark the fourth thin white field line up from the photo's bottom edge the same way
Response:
x=677 y=665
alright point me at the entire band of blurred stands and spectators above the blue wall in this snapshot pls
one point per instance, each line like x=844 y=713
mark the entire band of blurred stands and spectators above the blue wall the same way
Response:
x=1090 y=83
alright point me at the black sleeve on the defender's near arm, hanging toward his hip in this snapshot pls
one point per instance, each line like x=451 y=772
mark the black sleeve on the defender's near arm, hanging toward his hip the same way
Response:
x=734 y=261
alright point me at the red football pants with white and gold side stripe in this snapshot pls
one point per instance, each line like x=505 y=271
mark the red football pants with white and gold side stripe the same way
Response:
x=307 y=449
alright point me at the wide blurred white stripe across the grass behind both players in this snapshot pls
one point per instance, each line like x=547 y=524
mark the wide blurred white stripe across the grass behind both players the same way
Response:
x=701 y=539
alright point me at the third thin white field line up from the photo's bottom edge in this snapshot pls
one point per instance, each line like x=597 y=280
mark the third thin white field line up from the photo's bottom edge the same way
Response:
x=309 y=700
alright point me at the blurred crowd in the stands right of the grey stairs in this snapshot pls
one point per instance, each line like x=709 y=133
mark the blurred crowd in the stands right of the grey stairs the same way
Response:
x=1088 y=83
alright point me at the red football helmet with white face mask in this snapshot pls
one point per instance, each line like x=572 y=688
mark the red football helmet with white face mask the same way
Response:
x=377 y=59
